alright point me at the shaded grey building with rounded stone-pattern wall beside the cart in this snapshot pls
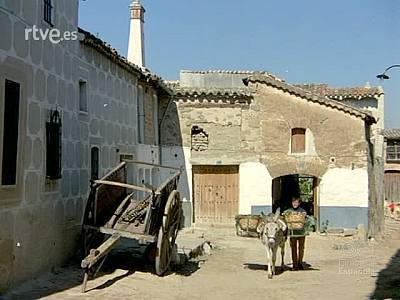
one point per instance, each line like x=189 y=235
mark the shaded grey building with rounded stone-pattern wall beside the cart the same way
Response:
x=108 y=108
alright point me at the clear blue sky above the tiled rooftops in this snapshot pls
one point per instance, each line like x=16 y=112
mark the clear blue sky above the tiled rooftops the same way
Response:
x=339 y=42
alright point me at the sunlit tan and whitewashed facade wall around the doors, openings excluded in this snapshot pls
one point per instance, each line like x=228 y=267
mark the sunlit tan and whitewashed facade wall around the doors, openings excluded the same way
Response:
x=257 y=137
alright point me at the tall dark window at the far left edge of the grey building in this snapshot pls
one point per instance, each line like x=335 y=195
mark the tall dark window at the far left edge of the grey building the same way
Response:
x=10 y=136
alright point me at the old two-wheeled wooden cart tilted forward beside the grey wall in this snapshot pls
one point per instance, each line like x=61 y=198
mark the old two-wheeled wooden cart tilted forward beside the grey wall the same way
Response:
x=113 y=212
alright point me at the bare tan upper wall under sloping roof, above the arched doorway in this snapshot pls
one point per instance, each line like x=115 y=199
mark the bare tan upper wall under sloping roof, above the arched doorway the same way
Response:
x=338 y=139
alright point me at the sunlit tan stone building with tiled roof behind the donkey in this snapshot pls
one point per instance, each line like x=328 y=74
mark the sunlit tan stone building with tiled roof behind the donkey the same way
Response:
x=248 y=140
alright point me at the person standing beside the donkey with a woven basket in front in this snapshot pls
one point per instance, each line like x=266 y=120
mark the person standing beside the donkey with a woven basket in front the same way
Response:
x=298 y=224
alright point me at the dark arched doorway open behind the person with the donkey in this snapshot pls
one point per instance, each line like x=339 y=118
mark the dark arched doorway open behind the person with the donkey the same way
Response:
x=305 y=187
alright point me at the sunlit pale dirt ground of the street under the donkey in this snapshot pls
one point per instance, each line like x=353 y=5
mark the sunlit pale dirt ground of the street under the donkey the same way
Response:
x=337 y=268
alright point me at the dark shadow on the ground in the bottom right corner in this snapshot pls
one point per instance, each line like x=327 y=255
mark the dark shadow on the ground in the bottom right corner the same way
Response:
x=387 y=285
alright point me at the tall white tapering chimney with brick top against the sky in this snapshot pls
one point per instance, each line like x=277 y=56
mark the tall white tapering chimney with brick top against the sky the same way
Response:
x=136 y=34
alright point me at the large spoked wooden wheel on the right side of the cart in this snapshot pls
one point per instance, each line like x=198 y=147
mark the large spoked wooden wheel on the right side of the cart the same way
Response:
x=168 y=232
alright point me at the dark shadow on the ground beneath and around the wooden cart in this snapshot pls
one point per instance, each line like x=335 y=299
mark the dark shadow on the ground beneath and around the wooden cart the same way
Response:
x=126 y=256
